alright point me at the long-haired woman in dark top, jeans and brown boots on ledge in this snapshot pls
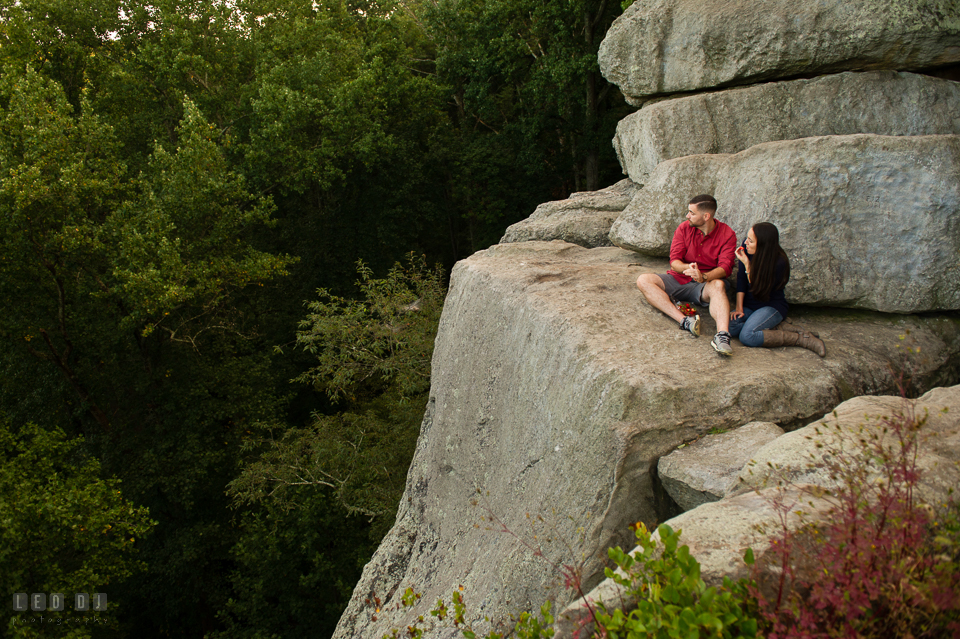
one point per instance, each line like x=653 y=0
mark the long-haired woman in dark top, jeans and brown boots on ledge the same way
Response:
x=761 y=312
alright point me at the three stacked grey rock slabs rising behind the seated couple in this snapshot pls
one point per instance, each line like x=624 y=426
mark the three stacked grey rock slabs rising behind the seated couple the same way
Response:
x=858 y=166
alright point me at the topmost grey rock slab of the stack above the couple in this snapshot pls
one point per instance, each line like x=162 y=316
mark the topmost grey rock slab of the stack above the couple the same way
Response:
x=669 y=46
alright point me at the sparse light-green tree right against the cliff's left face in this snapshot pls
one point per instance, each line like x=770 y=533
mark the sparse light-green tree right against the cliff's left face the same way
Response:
x=373 y=356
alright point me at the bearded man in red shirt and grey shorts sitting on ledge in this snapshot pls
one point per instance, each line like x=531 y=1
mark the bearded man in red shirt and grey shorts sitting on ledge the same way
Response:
x=701 y=256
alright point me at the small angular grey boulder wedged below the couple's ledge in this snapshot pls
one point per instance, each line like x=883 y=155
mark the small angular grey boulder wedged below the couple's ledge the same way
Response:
x=707 y=469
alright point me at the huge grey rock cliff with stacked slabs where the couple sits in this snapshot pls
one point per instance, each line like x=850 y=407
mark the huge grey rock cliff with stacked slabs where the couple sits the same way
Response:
x=556 y=388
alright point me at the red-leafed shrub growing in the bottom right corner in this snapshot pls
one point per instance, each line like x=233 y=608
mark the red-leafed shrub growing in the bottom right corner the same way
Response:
x=881 y=565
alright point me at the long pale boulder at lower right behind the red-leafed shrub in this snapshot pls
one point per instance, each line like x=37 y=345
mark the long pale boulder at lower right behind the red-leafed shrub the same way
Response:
x=790 y=470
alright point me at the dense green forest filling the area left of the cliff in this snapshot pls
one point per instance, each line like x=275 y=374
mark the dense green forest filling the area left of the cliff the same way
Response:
x=178 y=179
